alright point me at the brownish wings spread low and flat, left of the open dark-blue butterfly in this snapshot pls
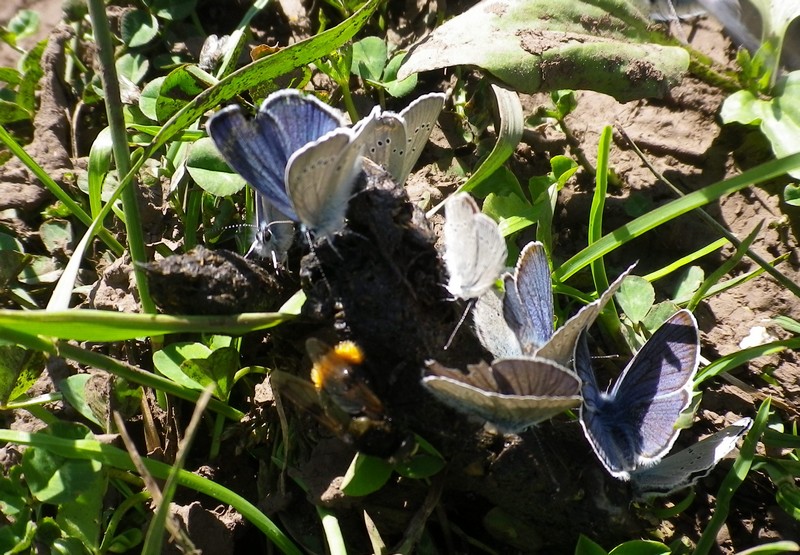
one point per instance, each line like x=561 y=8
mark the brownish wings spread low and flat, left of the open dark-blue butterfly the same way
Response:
x=511 y=395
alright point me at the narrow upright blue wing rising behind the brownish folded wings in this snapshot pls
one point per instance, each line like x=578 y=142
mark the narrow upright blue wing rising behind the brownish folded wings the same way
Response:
x=528 y=303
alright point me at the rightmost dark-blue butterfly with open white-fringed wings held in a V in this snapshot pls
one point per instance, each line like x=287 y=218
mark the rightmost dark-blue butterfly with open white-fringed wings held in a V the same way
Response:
x=632 y=426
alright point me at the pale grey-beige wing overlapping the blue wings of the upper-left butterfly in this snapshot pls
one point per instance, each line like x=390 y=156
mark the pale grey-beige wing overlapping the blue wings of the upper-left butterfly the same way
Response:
x=320 y=178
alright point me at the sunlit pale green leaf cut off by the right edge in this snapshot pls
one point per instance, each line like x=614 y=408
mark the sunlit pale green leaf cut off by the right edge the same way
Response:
x=778 y=117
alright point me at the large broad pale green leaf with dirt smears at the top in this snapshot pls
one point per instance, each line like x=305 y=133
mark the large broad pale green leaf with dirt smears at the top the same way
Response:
x=534 y=45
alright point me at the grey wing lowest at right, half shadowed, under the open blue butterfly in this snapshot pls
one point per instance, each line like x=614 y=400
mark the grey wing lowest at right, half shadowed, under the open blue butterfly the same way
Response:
x=686 y=467
